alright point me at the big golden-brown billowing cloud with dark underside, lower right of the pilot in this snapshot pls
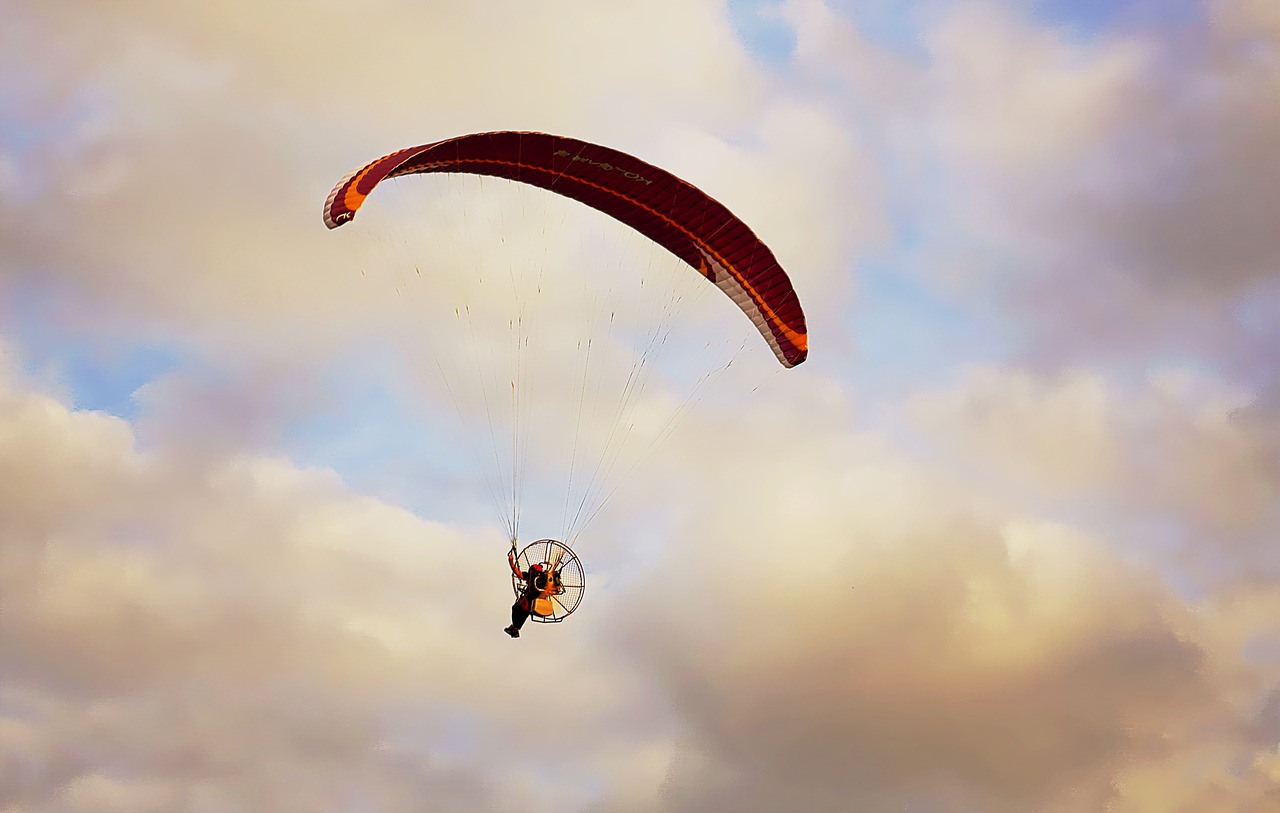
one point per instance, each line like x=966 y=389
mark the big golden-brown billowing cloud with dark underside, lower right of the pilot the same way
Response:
x=888 y=641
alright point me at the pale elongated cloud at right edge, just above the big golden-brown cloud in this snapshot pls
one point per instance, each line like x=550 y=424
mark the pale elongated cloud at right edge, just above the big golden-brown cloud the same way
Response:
x=1180 y=446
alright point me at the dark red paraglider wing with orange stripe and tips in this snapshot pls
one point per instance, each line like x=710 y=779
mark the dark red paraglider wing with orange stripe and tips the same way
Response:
x=668 y=211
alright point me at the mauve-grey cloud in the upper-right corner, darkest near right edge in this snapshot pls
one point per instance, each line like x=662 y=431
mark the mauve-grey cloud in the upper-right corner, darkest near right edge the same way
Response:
x=1141 y=222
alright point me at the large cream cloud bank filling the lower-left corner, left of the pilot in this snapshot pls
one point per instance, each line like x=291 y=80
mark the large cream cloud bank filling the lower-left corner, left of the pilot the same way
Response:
x=241 y=632
